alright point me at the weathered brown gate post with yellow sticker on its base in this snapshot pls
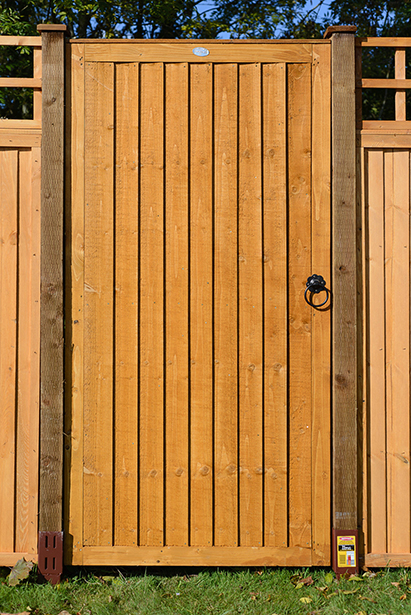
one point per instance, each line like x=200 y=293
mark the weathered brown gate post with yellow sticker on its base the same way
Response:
x=344 y=313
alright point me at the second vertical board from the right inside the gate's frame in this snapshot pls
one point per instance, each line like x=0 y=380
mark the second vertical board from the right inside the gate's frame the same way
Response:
x=275 y=304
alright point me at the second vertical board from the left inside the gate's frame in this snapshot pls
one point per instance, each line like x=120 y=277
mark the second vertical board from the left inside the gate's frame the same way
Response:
x=126 y=284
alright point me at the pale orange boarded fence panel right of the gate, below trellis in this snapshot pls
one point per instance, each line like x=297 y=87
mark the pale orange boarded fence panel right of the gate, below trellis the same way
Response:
x=386 y=288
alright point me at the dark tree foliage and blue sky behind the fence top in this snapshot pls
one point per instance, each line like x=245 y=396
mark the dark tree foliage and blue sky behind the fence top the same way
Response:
x=202 y=19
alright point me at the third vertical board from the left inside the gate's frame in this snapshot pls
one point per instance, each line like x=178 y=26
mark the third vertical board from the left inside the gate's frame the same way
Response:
x=151 y=448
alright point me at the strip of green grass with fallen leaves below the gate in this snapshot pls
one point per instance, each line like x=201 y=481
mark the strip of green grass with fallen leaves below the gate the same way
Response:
x=212 y=591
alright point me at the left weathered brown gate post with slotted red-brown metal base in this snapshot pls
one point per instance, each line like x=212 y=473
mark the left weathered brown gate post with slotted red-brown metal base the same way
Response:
x=51 y=303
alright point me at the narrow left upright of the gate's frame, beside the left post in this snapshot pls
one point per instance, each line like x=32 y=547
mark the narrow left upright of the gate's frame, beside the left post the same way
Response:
x=74 y=521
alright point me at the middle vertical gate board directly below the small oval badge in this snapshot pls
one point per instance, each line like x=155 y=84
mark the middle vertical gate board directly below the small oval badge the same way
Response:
x=201 y=304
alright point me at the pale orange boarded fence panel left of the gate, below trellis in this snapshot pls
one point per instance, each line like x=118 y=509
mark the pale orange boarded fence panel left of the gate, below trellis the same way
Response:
x=20 y=344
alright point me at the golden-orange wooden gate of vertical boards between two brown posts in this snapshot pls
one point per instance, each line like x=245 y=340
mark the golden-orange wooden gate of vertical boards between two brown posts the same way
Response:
x=199 y=418
